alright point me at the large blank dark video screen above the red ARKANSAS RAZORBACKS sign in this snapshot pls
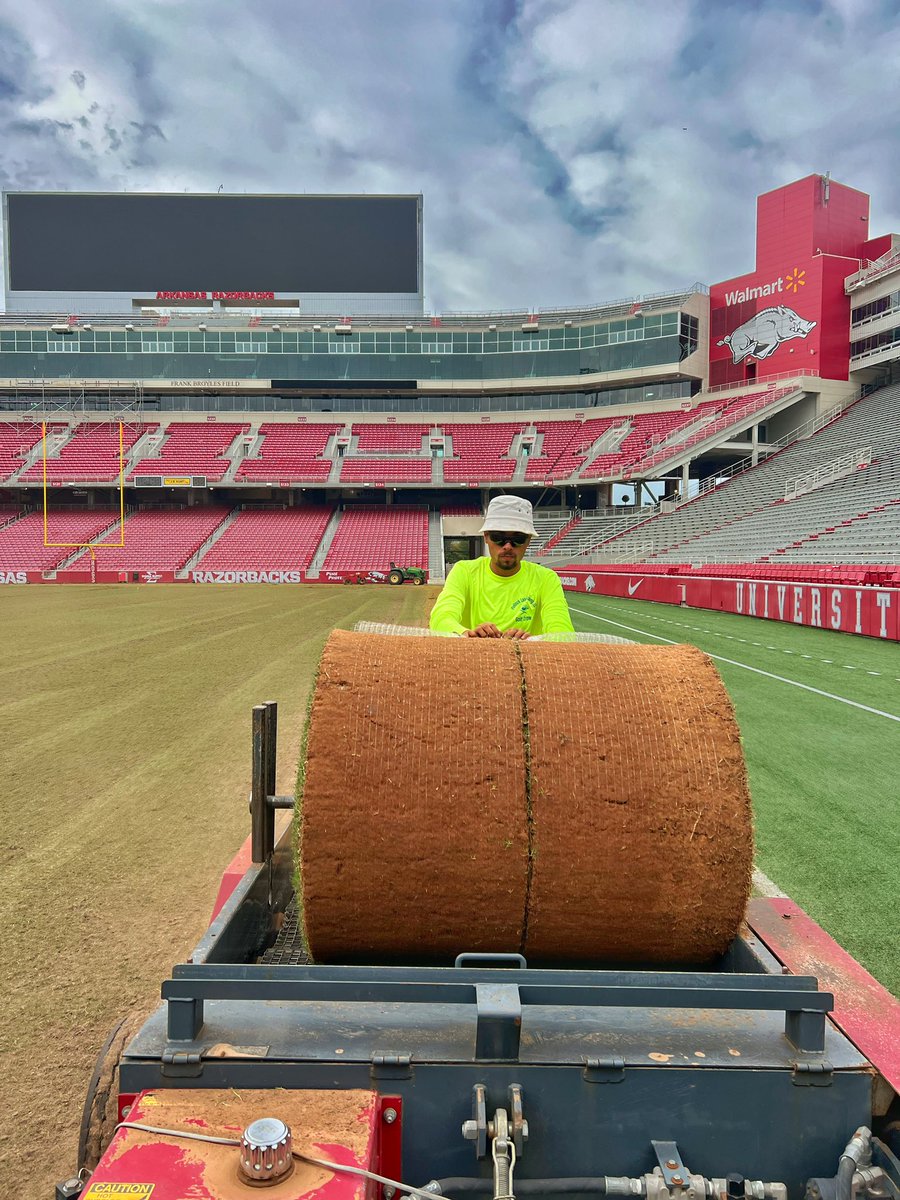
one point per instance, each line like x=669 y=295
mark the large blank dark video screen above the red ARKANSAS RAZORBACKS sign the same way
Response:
x=142 y=244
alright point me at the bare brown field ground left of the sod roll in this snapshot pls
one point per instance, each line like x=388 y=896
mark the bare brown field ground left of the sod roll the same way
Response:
x=125 y=743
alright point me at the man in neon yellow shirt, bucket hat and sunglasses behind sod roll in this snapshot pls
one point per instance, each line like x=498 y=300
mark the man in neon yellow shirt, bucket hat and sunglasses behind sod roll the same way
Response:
x=502 y=596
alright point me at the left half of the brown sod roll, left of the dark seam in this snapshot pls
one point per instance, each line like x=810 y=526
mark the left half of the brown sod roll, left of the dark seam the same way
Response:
x=413 y=833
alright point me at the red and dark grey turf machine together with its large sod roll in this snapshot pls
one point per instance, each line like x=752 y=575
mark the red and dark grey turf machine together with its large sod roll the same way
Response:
x=365 y=1015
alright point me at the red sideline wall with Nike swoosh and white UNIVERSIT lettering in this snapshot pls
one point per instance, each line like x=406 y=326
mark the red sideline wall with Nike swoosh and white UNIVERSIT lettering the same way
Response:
x=869 y=611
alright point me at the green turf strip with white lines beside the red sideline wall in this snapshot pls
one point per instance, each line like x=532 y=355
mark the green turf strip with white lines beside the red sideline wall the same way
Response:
x=824 y=759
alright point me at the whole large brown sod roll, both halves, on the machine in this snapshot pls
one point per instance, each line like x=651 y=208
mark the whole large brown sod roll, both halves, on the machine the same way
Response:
x=579 y=803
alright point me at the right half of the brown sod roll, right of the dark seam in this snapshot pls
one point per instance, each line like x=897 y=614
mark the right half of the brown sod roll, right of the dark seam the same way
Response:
x=643 y=845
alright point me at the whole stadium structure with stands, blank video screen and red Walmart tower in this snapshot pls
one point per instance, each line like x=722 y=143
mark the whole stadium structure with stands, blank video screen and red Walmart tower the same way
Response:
x=248 y=387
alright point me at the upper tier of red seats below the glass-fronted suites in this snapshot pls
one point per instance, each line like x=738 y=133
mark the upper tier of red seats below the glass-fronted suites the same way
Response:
x=283 y=454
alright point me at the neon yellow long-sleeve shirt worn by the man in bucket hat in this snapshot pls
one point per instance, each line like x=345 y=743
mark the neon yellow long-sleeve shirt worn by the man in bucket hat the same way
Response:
x=531 y=599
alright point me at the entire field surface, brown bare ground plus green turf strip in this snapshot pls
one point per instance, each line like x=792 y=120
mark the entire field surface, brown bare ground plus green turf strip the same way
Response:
x=125 y=740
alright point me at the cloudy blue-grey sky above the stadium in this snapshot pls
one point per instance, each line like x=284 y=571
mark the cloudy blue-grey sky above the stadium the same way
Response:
x=568 y=151
